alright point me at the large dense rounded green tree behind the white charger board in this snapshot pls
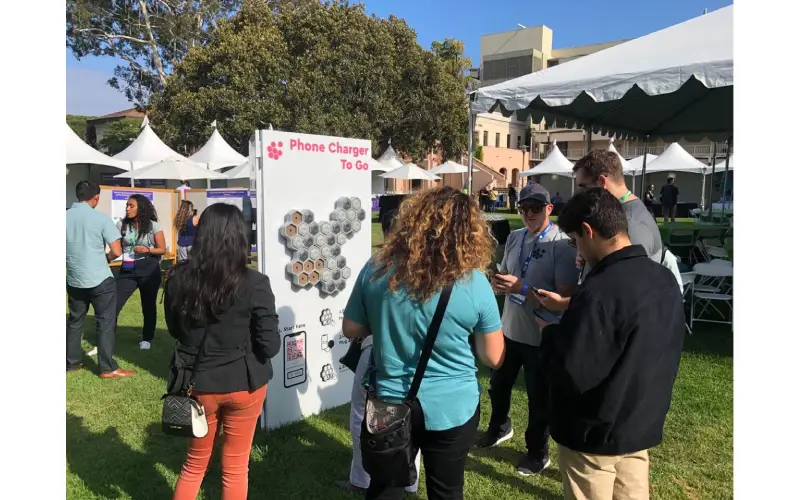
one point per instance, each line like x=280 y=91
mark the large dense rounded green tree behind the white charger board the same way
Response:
x=324 y=68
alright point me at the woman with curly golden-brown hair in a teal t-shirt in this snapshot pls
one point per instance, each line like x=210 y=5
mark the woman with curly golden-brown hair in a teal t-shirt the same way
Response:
x=439 y=239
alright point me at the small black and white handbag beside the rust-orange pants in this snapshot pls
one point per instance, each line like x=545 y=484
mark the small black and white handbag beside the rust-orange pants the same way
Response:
x=181 y=414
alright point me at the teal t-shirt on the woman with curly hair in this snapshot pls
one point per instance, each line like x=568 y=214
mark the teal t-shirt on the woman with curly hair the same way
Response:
x=450 y=392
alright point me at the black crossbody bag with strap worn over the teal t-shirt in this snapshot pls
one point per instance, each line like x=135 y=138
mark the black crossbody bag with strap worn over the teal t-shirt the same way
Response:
x=386 y=450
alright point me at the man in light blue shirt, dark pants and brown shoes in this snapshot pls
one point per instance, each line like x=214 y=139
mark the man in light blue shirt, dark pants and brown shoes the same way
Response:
x=90 y=281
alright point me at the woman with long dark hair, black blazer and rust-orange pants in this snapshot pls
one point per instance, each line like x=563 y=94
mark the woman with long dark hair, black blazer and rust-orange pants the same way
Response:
x=215 y=295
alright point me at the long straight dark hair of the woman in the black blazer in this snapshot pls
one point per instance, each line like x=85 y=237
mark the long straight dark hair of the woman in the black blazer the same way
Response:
x=211 y=279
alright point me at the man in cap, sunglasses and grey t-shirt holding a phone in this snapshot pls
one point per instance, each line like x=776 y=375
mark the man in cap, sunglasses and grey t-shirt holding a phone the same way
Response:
x=536 y=257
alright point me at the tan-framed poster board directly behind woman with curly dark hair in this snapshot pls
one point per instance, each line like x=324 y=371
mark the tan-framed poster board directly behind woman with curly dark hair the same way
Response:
x=113 y=200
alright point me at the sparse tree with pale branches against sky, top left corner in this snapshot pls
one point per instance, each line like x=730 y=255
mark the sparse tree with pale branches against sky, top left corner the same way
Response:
x=149 y=36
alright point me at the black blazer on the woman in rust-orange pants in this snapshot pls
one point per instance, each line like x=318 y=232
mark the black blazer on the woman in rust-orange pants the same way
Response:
x=239 y=346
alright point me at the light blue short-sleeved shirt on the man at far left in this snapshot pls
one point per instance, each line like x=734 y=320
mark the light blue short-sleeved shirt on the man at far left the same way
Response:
x=88 y=233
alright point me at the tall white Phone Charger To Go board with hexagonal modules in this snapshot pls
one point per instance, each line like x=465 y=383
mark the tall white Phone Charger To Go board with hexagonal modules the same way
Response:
x=314 y=236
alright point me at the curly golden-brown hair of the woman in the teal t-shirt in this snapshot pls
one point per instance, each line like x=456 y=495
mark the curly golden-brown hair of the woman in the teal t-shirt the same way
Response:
x=438 y=237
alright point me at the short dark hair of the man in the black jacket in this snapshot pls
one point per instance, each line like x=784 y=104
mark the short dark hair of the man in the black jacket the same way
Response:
x=596 y=207
